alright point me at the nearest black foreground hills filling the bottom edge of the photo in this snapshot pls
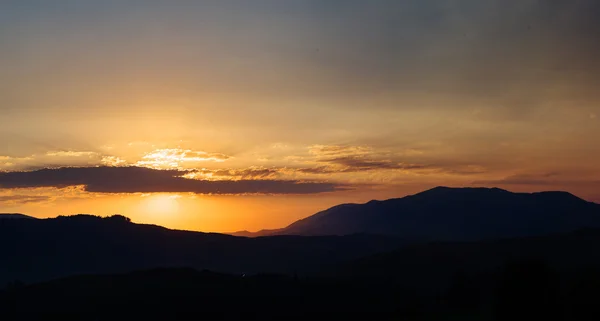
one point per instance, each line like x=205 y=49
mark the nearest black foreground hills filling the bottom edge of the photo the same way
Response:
x=553 y=277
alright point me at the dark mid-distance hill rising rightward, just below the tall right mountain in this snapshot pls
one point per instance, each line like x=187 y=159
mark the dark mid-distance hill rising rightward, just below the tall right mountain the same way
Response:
x=429 y=266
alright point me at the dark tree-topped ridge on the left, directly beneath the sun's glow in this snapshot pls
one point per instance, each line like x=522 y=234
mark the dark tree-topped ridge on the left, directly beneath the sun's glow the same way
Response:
x=43 y=249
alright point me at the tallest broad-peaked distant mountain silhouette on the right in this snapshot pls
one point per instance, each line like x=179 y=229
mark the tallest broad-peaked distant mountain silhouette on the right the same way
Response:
x=444 y=213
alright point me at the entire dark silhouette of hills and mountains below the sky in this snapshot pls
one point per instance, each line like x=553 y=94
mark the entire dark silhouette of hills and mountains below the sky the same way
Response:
x=468 y=254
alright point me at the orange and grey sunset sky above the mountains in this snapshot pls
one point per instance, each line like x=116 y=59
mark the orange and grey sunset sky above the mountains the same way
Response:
x=242 y=115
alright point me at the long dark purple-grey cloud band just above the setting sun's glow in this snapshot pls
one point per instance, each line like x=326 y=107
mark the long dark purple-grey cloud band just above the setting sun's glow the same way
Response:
x=147 y=180
